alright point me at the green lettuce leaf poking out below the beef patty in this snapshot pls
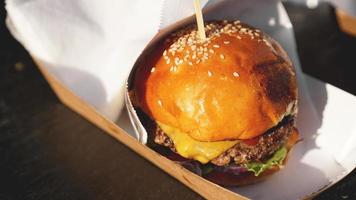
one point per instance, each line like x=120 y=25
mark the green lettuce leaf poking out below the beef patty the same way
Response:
x=276 y=159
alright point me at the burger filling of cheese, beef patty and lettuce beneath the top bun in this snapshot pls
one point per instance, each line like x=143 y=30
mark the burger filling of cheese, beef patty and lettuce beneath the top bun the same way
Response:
x=256 y=155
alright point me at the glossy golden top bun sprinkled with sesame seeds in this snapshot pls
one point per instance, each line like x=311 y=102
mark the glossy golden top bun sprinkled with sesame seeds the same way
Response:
x=235 y=85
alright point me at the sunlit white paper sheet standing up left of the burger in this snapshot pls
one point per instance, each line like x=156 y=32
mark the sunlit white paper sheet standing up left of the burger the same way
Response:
x=88 y=45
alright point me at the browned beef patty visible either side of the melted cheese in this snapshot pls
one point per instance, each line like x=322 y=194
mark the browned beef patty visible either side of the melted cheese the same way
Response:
x=257 y=149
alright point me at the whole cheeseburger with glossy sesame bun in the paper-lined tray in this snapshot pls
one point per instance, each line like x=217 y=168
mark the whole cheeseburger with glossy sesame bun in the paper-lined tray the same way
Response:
x=224 y=107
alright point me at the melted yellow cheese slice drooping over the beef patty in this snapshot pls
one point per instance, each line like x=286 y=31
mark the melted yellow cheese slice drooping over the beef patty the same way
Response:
x=193 y=149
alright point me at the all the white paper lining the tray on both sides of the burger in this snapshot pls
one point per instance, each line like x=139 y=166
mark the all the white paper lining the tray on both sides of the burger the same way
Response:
x=91 y=46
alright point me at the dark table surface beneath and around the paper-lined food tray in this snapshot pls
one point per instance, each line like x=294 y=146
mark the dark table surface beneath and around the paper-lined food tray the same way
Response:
x=49 y=152
